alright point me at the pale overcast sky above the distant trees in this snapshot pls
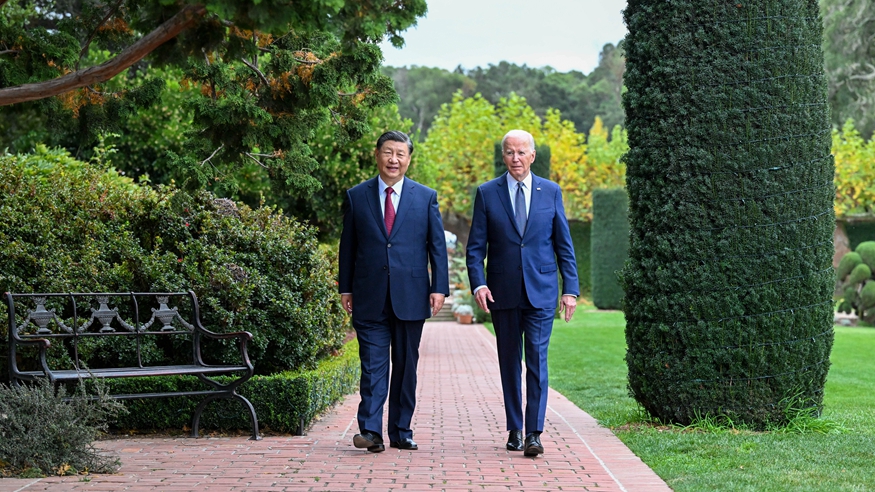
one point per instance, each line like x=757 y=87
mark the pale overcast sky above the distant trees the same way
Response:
x=564 y=34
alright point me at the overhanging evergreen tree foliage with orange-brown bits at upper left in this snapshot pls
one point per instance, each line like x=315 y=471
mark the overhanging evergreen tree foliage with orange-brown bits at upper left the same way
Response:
x=262 y=75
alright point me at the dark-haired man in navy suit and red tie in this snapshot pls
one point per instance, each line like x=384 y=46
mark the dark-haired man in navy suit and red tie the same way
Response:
x=392 y=231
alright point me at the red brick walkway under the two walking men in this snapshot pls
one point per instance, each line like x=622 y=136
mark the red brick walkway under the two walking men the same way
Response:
x=458 y=424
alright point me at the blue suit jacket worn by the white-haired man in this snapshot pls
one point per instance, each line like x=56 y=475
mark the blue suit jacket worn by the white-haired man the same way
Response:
x=512 y=257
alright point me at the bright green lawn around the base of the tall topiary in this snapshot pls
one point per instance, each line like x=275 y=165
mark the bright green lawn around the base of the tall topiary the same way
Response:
x=587 y=366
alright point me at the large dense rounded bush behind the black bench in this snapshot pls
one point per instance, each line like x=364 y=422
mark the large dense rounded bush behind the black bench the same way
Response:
x=68 y=226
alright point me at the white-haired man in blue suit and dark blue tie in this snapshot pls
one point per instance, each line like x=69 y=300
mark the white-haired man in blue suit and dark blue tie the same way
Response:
x=519 y=226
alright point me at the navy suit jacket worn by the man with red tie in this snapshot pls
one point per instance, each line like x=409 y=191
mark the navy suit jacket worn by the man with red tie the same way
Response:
x=368 y=255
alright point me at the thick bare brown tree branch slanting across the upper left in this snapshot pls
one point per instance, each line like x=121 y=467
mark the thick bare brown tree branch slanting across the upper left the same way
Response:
x=109 y=69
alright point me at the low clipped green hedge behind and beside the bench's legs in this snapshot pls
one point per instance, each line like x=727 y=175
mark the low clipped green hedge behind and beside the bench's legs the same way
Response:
x=282 y=401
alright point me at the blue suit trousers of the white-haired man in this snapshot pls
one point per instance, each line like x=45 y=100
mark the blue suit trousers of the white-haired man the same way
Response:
x=529 y=327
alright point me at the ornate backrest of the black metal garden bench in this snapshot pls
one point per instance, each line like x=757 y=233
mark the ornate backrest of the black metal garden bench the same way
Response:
x=75 y=323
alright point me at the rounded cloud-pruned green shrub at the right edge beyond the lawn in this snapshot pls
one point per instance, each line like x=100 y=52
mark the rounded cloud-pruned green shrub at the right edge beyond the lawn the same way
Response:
x=857 y=283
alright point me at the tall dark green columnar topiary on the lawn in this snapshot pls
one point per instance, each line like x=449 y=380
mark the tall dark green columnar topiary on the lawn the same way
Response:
x=730 y=181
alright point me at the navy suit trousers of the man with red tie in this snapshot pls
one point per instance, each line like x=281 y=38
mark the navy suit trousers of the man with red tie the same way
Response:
x=377 y=340
